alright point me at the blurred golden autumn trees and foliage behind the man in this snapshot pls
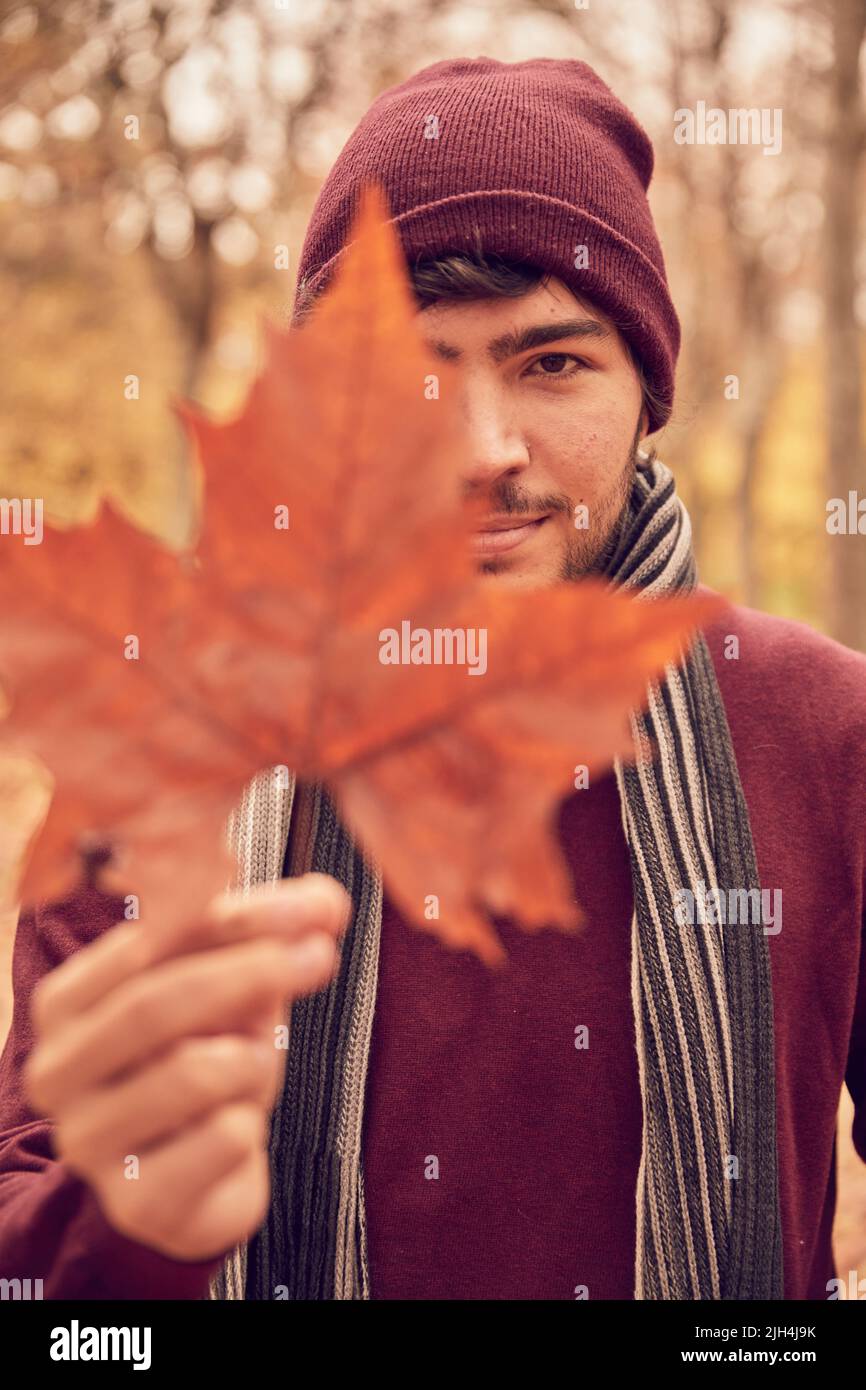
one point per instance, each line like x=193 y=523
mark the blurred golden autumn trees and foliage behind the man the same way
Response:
x=159 y=162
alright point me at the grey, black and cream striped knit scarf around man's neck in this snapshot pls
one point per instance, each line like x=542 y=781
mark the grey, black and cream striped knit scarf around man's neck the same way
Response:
x=708 y=1220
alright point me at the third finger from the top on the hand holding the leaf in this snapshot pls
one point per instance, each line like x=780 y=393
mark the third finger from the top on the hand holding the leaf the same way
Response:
x=198 y=1077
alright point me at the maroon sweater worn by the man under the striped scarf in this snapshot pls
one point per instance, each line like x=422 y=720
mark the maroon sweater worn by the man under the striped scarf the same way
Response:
x=537 y=1142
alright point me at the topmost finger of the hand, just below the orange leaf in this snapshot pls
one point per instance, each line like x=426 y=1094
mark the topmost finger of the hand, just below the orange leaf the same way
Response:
x=297 y=908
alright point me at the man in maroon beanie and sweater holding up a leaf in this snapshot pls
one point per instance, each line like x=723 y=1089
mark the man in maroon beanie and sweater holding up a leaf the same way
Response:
x=644 y=1111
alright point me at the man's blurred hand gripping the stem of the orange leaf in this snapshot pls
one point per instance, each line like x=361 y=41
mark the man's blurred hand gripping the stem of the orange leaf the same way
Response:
x=162 y=1049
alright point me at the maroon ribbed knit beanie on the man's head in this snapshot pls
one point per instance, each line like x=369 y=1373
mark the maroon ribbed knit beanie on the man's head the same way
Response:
x=528 y=161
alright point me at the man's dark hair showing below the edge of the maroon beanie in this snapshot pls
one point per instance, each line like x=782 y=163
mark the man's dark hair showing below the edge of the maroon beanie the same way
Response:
x=483 y=275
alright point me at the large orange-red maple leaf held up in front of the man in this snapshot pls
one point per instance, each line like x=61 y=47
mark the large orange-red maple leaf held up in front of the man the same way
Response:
x=154 y=685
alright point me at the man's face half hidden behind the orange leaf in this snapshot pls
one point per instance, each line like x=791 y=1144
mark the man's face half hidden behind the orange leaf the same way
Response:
x=554 y=408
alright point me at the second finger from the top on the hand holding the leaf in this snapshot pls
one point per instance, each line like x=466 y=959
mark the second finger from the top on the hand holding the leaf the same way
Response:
x=216 y=992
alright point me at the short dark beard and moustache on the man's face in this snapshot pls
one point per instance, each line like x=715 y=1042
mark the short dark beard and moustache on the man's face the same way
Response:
x=589 y=551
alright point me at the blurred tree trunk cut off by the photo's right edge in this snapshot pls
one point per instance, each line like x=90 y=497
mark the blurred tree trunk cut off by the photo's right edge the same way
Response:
x=846 y=454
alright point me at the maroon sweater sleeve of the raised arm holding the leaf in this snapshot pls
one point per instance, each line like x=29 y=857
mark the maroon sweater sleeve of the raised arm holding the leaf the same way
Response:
x=52 y=1227
